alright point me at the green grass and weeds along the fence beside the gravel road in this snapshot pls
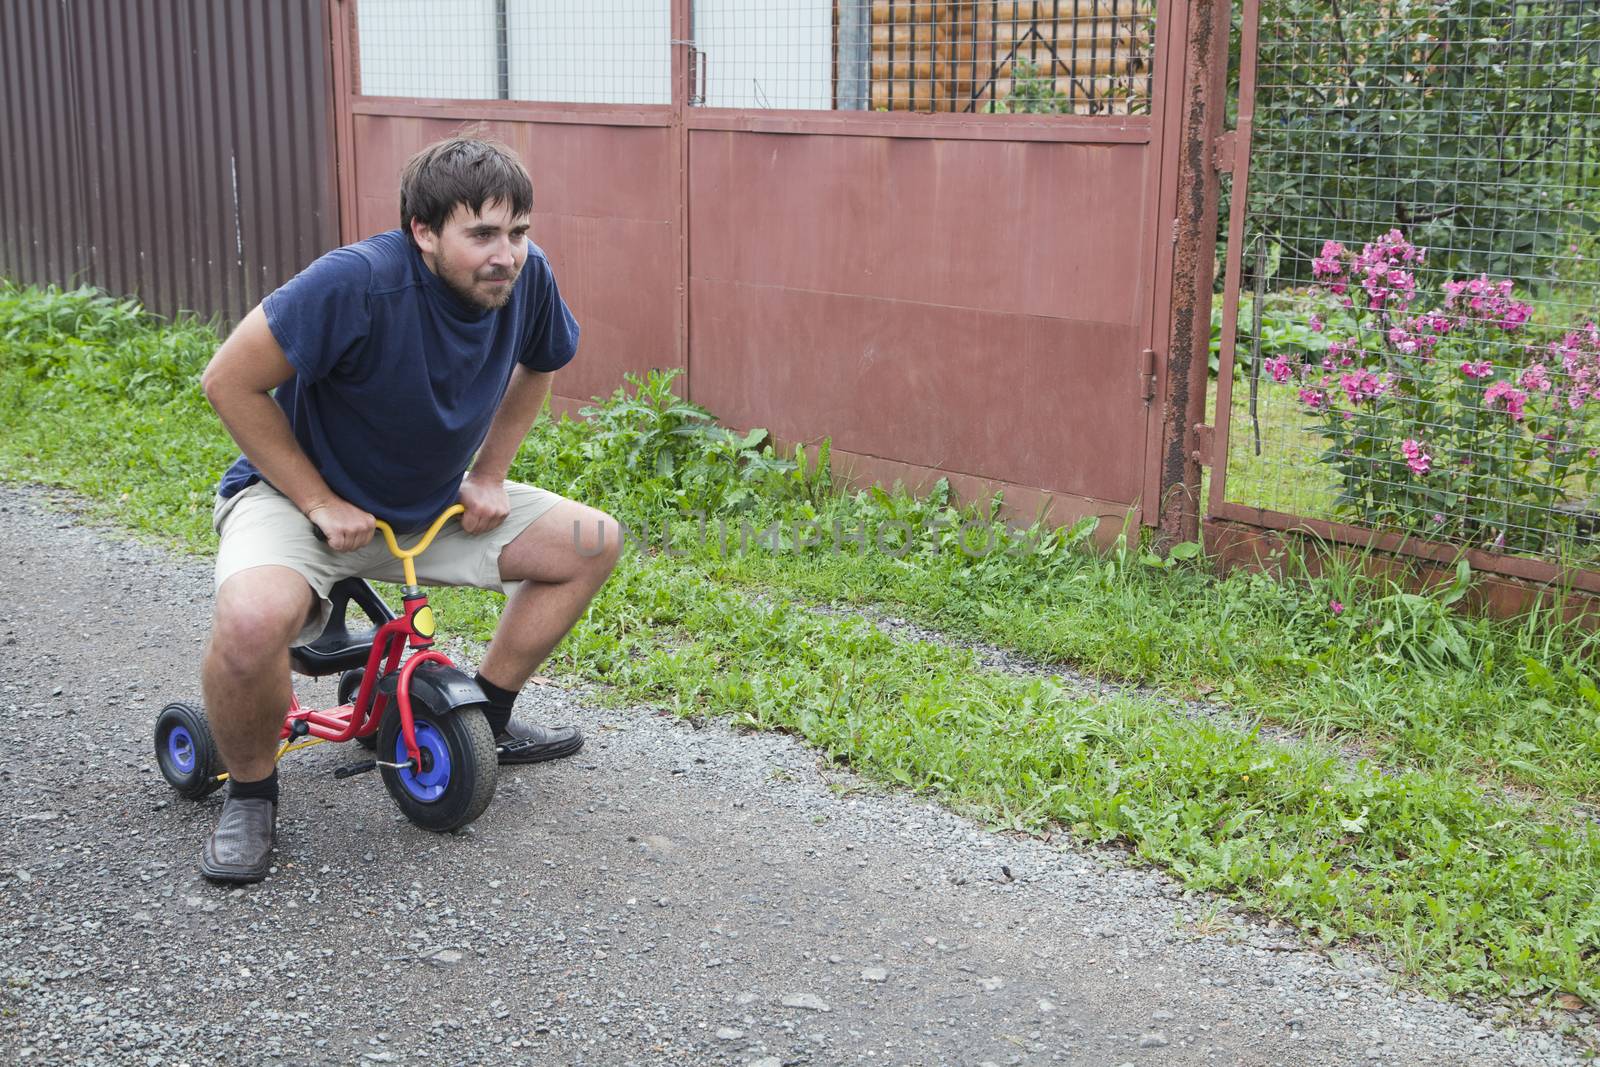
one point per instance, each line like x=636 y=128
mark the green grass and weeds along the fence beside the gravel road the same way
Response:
x=1460 y=885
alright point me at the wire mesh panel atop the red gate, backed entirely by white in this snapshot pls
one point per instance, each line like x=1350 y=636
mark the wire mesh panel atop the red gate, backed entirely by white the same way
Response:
x=596 y=52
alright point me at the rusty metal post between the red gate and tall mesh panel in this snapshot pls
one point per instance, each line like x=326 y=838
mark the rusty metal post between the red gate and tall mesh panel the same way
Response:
x=1194 y=257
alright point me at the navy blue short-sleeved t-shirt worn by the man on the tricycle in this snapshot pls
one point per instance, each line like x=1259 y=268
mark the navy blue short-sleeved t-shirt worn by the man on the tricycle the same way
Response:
x=396 y=377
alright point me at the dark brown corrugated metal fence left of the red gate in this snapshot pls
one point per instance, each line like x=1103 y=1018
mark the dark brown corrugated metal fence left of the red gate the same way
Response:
x=174 y=150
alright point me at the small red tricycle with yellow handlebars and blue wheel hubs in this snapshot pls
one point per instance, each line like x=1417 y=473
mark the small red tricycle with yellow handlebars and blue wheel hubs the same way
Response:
x=423 y=717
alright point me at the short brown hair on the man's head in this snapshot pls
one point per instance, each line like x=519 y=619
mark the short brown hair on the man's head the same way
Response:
x=468 y=172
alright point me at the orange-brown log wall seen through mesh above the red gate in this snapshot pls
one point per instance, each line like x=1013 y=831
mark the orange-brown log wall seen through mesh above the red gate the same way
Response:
x=959 y=55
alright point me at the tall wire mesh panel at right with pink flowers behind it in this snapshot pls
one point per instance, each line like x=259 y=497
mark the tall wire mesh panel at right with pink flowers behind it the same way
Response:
x=1418 y=345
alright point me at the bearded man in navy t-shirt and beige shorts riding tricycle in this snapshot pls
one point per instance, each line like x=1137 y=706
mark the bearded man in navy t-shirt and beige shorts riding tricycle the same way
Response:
x=409 y=369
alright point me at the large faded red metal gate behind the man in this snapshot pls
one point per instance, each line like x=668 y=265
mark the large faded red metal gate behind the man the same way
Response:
x=977 y=297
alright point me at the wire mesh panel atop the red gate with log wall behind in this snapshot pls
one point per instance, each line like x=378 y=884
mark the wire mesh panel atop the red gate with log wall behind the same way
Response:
x=1039 y=57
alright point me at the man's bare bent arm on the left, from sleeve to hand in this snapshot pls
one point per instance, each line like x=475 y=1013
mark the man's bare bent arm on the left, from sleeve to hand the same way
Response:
x=239 y=383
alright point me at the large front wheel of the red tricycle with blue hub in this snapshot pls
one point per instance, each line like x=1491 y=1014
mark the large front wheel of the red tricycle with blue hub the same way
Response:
x=450 y=793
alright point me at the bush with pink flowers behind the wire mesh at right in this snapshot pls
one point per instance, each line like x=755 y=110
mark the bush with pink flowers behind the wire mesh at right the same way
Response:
x=1450 y=422
